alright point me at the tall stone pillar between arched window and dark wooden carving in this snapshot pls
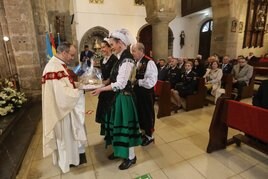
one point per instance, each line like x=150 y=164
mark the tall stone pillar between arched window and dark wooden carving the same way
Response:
x=223 y=41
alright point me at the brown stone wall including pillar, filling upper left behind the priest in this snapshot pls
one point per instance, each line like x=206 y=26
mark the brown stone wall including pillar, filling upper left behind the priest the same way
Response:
x=26 y=22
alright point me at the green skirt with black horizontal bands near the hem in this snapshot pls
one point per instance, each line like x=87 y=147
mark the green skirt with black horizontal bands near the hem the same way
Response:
x=122 y=129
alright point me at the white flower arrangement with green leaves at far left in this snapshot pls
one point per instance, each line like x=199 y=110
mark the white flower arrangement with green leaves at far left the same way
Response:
x=10 y=98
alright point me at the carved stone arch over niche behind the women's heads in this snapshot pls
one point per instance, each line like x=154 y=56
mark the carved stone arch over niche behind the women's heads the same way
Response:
x=89 y=38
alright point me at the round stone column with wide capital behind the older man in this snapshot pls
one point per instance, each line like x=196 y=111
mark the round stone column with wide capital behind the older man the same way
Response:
x=159 y=14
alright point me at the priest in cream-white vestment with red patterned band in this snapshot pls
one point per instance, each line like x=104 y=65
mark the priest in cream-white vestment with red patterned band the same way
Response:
x=63 y=108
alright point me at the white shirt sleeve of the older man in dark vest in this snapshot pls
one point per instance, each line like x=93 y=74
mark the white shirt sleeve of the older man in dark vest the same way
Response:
x=150 y=76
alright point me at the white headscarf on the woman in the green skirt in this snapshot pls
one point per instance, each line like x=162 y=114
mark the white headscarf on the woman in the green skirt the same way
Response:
x=123 y=35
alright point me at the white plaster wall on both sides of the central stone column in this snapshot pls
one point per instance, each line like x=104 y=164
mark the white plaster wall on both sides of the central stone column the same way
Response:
x=115 y=14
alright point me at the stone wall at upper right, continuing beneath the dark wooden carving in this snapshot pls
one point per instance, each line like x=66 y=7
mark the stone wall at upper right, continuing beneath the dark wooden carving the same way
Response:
x=224 y=41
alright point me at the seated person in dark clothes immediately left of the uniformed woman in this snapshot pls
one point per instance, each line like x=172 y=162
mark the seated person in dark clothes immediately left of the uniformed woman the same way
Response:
x=174 y=73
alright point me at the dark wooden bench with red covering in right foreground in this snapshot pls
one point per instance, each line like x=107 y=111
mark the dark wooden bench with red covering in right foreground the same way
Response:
x=250 y=119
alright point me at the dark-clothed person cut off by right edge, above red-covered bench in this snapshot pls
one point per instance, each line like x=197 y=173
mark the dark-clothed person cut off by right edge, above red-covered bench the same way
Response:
x=261 y=97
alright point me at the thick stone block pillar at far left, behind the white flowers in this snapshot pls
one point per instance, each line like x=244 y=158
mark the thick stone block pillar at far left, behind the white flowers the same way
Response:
x=23 y=44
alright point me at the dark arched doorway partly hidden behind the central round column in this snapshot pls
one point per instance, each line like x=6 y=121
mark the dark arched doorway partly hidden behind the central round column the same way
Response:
x=148 y=42
